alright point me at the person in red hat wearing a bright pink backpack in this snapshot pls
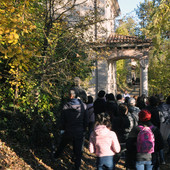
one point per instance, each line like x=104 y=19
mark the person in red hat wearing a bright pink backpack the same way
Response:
x=144 y=160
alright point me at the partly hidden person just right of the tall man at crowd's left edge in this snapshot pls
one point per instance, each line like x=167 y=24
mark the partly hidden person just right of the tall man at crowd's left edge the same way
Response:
x=91 y=116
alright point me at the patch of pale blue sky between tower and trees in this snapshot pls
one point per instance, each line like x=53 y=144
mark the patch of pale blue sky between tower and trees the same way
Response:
x=127 y=6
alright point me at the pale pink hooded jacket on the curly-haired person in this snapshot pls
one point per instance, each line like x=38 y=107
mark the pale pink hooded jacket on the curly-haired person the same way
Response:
x=103 y=142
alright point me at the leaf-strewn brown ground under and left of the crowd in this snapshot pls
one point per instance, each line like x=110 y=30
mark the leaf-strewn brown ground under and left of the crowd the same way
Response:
x=22 y=158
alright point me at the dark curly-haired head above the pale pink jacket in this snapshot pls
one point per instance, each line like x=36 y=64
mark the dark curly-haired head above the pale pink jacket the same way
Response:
x=103 y=119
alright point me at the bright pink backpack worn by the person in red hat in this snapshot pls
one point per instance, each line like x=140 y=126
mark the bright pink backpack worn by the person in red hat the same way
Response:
x=145 y=140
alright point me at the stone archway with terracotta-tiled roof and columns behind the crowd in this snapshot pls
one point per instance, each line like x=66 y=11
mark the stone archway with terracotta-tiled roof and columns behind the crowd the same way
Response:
x=125 y=47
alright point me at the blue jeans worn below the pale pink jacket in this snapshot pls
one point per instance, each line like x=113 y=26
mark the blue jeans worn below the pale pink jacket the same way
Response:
x=105 y=162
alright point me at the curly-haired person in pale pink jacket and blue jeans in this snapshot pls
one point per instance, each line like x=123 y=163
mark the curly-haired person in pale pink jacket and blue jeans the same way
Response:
x=104 y=142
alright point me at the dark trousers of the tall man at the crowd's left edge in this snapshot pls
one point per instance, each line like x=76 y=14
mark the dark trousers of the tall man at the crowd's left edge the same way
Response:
x=77 y=140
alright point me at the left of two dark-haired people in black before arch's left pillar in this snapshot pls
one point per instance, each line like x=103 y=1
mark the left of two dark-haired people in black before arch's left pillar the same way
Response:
x=100 y=103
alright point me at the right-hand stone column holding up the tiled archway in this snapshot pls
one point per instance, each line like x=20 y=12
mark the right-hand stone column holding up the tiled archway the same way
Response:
x=144 y=76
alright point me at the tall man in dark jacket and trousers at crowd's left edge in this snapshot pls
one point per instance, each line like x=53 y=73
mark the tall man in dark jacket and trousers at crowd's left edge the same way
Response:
x=73 y=125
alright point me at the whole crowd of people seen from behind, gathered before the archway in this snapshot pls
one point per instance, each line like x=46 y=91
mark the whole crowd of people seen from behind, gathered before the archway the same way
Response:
x=115 y=127
